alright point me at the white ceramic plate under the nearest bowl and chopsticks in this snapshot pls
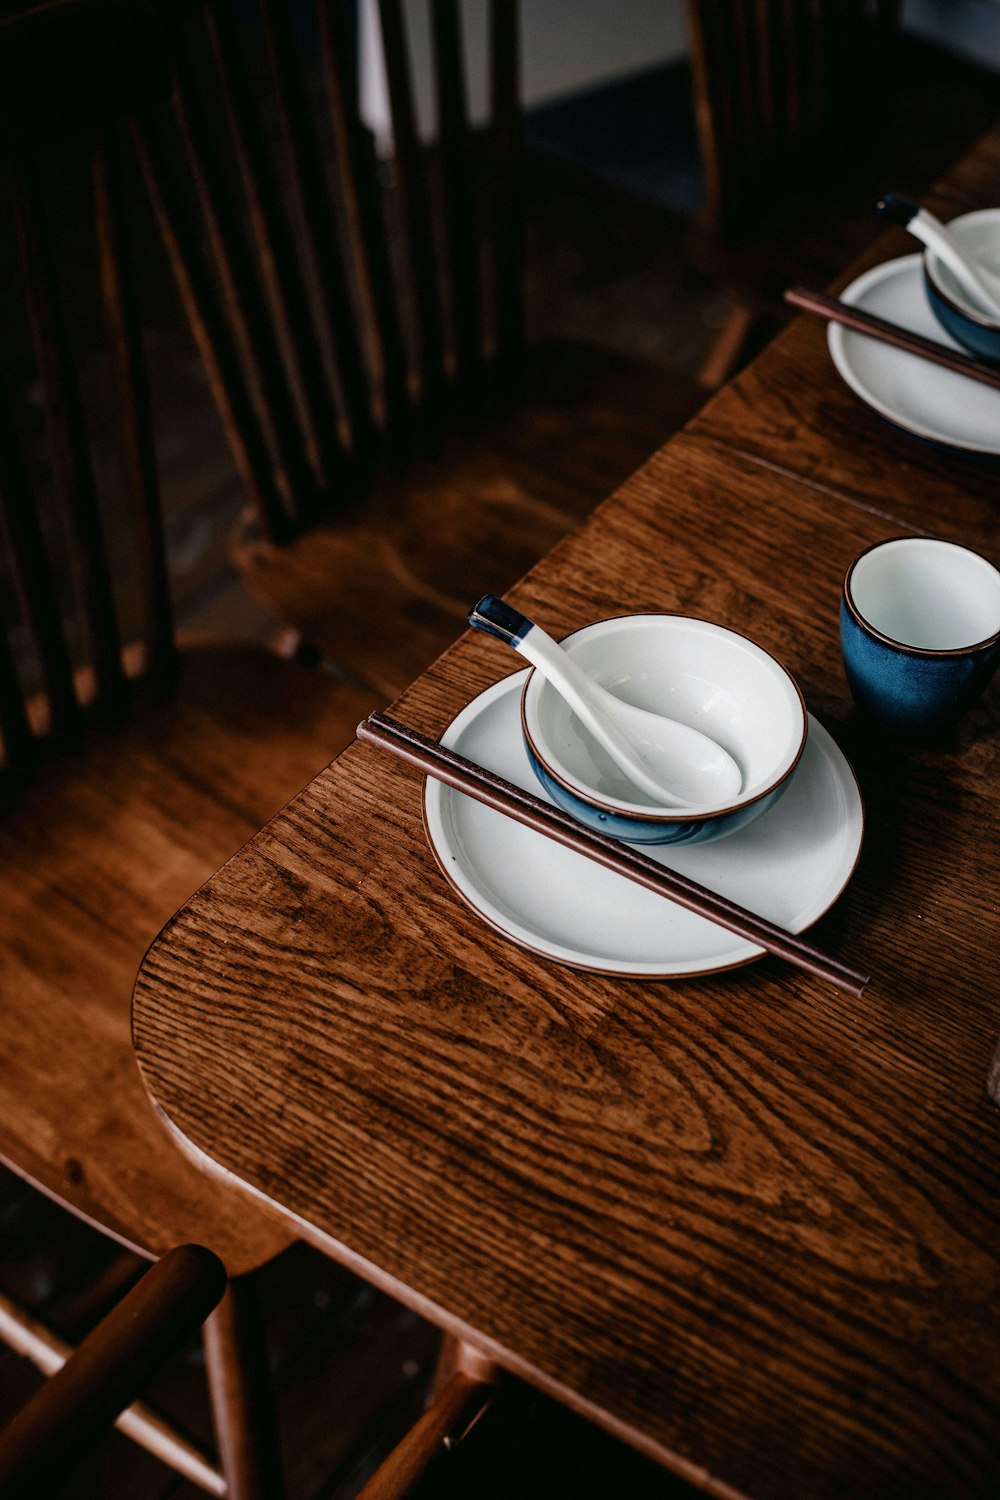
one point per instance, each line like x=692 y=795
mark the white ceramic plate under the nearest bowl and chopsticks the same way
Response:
x=789 y=866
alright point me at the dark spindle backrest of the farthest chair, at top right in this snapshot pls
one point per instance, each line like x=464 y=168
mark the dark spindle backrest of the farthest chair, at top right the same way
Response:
x=779 y=89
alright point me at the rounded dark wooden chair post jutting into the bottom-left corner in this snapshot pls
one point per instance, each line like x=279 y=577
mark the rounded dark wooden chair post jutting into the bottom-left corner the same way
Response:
x=89 y=1393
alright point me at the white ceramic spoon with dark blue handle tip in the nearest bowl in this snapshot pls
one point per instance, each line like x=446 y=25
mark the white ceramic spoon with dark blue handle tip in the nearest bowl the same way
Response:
x=674 y=764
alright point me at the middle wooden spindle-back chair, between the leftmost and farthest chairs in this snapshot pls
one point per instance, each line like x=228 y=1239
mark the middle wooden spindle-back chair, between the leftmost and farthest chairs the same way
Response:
x=362 y=325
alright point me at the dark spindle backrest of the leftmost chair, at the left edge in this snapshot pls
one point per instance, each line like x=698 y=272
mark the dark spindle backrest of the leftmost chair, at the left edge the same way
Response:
x=76 y=590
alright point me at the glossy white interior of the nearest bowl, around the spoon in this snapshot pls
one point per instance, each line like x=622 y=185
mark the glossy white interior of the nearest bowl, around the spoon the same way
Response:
x=687 y=670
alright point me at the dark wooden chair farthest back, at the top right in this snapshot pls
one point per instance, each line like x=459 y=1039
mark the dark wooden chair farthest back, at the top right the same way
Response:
x=807 y=112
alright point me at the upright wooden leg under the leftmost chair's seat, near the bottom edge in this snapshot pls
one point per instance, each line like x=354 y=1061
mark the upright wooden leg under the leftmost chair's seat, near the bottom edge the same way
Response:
x=241 y=1394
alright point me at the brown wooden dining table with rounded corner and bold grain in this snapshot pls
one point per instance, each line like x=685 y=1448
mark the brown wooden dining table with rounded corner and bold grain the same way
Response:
x=744 y=1222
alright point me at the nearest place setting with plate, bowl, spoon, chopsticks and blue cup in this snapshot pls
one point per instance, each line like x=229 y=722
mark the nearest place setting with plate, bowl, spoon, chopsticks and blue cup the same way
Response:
x=653 y=757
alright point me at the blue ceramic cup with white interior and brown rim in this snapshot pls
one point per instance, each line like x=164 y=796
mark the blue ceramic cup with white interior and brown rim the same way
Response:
x=920 y=626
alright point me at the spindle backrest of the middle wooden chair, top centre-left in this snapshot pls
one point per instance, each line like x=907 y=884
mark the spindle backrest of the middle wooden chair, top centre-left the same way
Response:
x=334 y=295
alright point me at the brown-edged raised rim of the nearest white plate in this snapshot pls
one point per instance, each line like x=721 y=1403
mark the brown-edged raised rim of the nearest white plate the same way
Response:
x=749 y=953
